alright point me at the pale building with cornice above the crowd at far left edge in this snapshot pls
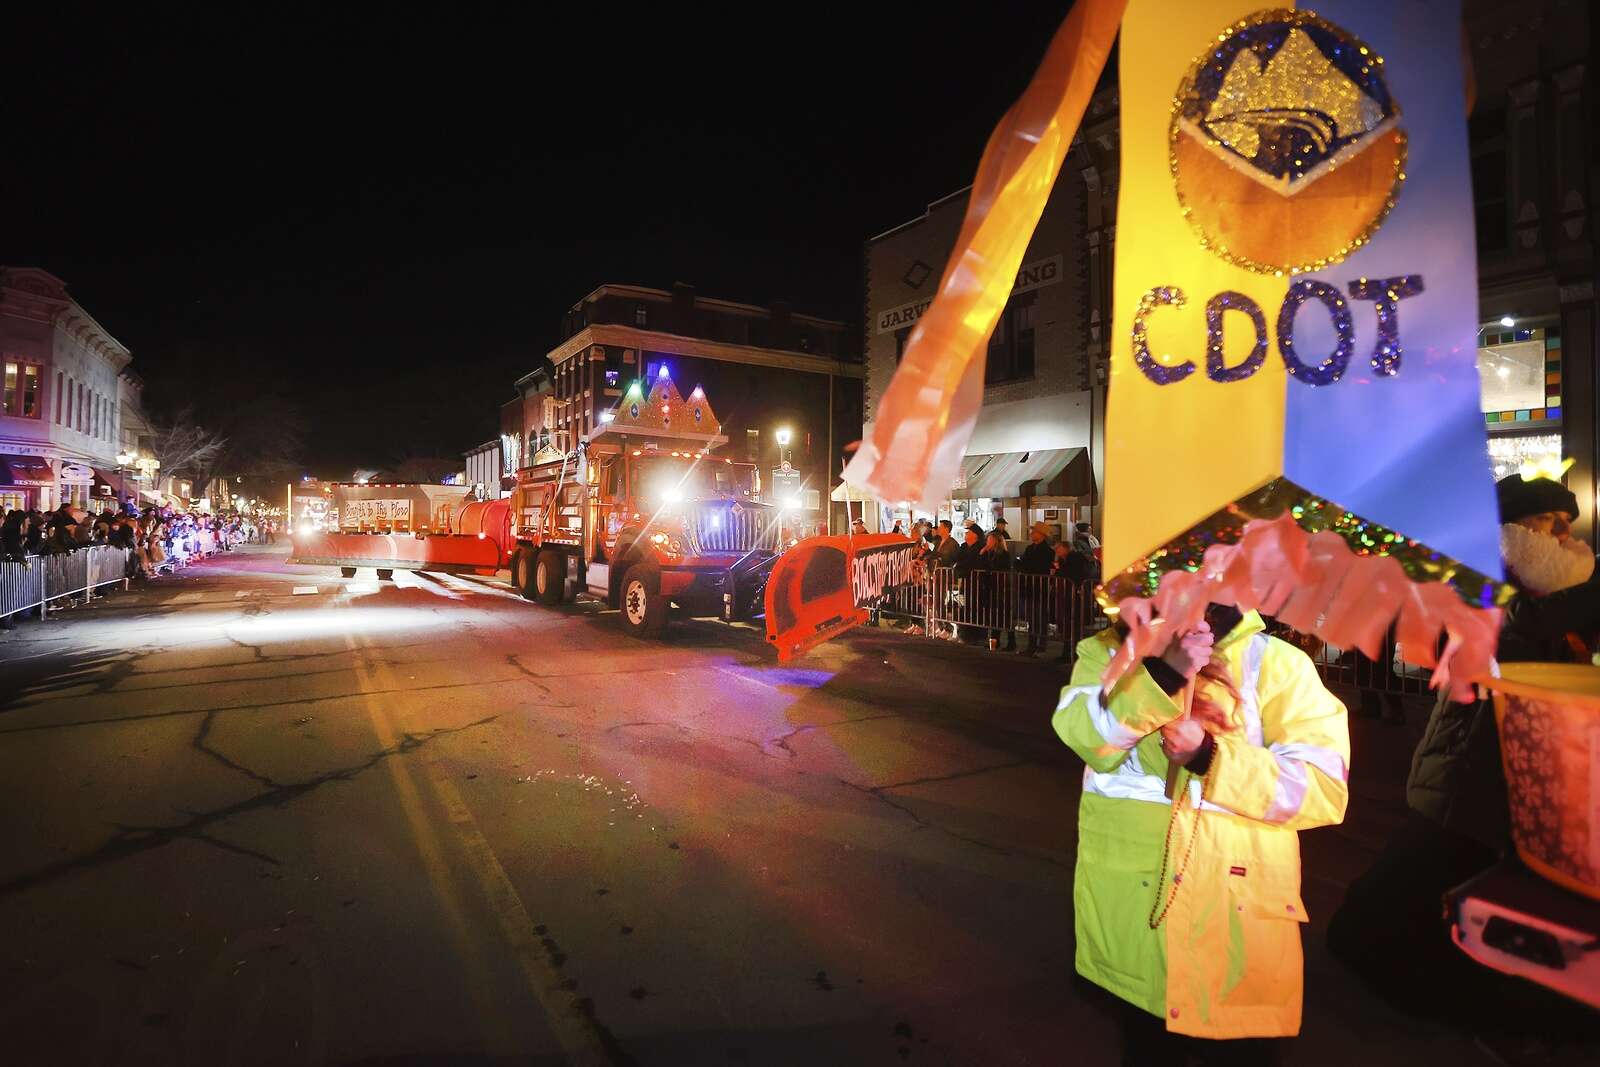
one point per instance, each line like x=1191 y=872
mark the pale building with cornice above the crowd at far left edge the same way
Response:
x=62 y=417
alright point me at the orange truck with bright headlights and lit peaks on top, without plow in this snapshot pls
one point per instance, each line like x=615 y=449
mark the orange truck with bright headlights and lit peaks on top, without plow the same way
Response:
x=646 y=516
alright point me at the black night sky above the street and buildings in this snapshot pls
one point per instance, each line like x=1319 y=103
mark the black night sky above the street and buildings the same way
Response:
x=386 y=218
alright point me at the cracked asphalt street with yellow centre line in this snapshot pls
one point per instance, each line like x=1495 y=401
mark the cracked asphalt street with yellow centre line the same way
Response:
x=263 y=815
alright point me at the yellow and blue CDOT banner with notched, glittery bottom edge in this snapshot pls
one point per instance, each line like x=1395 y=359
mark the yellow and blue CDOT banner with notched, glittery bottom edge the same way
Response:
x=1295 y=290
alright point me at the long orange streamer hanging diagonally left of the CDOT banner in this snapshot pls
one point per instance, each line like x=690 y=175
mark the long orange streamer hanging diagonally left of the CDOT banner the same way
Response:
x=916 y=446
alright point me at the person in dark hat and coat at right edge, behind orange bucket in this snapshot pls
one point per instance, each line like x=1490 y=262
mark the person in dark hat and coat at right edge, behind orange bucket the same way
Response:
x=1458 y=825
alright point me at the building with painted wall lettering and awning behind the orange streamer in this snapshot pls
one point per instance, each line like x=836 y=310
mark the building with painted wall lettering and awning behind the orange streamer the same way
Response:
x=1034 y=454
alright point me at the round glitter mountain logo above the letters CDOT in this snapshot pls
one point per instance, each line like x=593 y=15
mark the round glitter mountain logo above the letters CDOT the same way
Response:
x=1287 y=150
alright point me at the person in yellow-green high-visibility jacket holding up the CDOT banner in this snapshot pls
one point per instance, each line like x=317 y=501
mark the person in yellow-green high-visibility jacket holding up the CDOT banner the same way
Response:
x=1191 y=909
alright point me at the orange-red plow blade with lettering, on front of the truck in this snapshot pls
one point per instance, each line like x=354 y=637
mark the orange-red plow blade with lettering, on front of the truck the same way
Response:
x=825 y=586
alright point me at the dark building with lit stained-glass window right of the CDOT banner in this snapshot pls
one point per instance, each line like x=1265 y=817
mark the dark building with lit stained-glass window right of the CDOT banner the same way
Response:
x=1534 y=185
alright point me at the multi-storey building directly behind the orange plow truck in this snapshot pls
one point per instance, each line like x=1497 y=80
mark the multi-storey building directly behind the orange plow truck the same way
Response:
x=786 y=386
